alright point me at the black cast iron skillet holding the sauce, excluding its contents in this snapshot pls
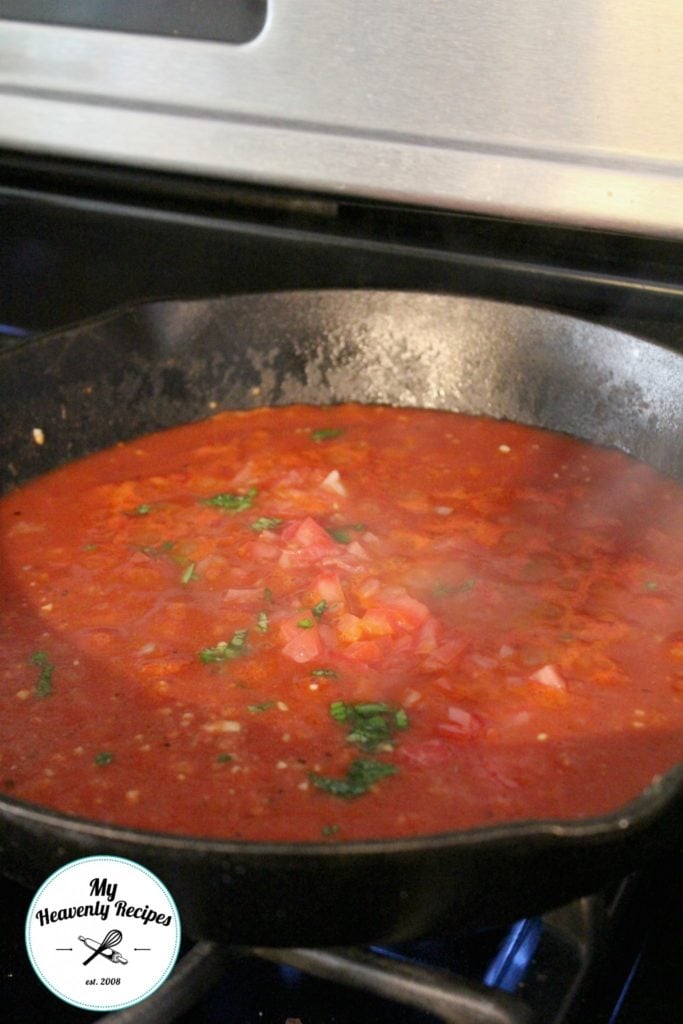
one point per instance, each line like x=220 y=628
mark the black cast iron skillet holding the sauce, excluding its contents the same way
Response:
x=163 y=364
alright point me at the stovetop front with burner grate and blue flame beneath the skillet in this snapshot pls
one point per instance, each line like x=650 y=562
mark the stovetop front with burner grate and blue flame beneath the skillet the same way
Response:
x=609 y=959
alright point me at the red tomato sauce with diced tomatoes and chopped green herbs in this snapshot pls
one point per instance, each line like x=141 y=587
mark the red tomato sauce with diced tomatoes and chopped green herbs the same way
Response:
x=348 y=623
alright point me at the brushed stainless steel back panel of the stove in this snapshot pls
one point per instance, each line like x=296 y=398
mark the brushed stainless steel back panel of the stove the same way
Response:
x=516 y=110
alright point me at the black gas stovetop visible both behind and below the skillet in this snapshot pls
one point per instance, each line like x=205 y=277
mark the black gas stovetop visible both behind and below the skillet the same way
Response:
x=79 y=240
